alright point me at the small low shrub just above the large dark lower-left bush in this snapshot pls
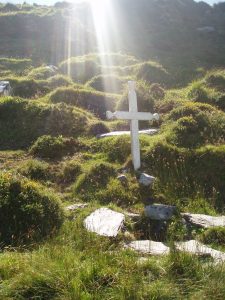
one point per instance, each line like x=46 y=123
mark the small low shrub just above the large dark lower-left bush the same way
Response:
x=35 y=170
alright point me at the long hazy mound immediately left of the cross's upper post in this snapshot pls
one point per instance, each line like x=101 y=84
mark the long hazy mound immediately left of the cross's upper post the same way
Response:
x=93 y=101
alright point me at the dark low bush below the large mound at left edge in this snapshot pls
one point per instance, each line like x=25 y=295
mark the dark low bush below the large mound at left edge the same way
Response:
x=54 y=147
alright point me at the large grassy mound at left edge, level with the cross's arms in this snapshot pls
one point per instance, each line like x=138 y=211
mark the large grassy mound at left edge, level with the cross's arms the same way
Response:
x=23 y=121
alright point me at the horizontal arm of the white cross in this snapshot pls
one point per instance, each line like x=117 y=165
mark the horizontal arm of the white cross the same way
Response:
x=124 y=115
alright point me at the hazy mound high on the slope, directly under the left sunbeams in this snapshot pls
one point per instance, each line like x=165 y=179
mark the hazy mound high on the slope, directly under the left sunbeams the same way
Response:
x=80 y=70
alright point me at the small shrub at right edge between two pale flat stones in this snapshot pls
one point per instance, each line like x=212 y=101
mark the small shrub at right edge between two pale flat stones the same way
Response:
x=213 y=235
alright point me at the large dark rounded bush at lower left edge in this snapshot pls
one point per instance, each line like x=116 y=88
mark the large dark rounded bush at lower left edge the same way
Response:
x=27 y=212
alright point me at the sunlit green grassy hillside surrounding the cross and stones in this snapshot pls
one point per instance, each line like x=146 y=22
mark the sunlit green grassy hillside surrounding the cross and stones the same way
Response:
x=50 y=157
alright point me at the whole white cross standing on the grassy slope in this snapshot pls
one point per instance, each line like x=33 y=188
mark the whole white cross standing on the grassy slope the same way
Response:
x=134 y=116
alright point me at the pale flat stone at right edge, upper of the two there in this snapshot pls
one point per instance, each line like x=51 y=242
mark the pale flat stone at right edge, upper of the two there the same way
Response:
x=204 y=221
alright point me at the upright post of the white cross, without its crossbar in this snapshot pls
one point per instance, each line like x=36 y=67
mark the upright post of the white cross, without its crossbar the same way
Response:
x=134 y=128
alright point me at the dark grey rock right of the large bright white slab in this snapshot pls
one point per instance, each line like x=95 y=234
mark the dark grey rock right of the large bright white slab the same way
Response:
x=160 y=212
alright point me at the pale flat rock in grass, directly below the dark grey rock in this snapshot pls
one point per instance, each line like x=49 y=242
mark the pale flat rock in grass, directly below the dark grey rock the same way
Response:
x=149 y=247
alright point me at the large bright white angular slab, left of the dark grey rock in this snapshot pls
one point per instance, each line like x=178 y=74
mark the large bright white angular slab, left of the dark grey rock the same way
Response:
x=105 y=222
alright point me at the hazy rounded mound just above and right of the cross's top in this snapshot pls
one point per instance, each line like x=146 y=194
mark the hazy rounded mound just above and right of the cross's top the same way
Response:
x=152 y=73
